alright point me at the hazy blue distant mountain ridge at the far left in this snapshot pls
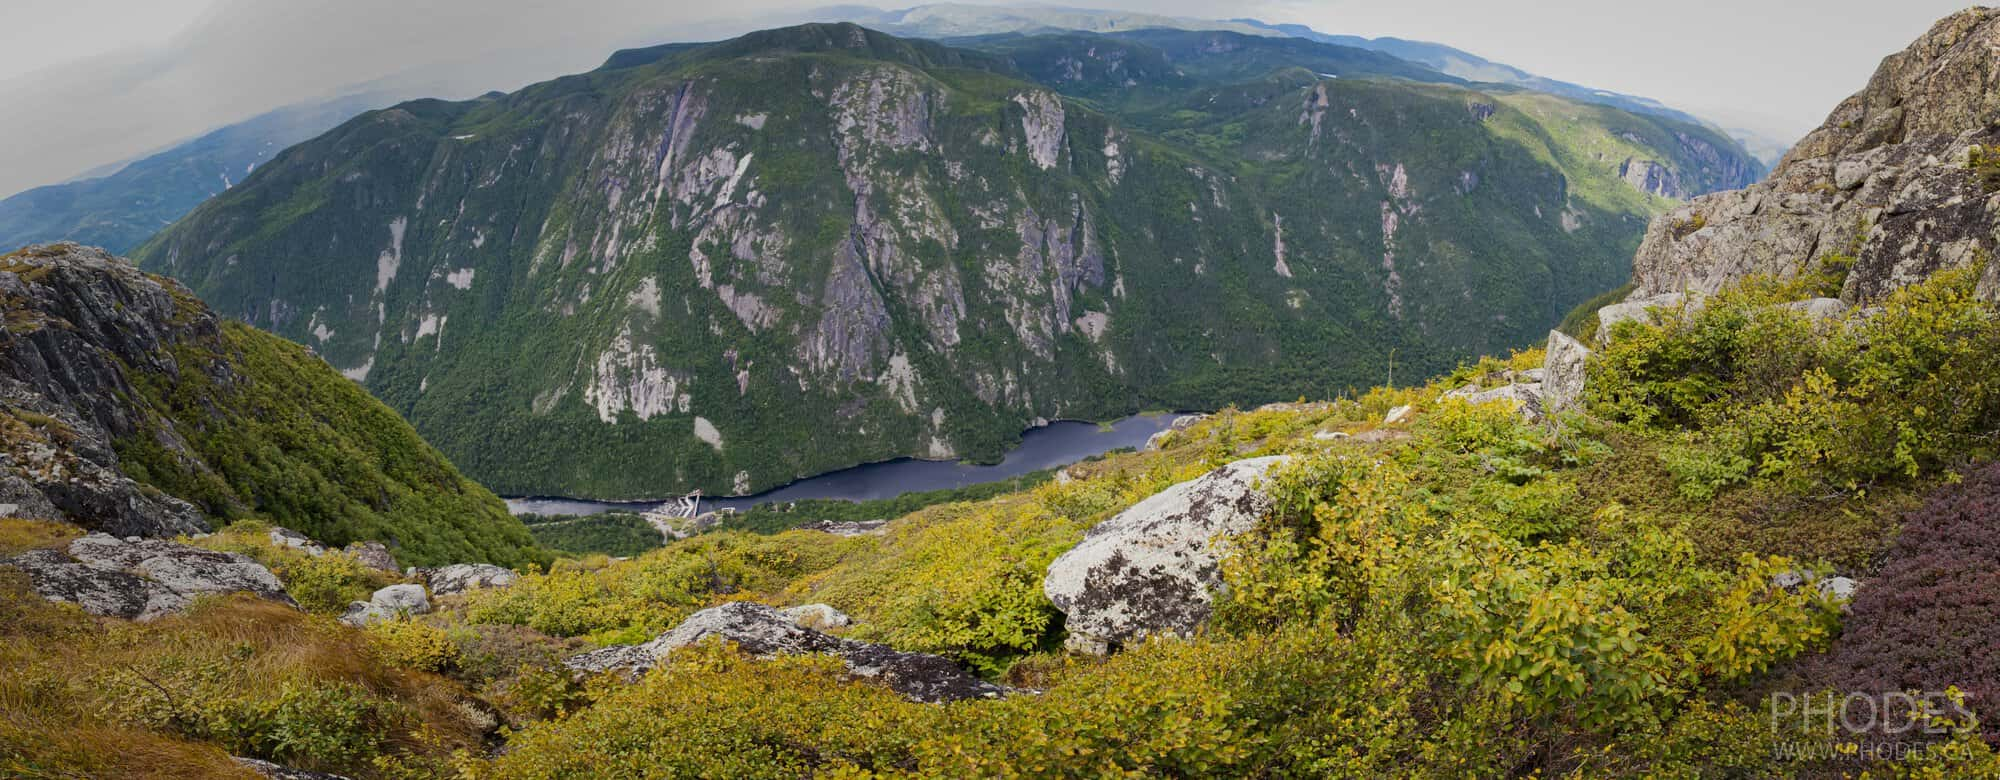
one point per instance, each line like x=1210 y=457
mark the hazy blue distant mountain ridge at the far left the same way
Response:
x=129 y=203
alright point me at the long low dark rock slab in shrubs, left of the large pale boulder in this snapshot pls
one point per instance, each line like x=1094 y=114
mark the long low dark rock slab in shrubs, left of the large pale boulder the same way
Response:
x=763 y=631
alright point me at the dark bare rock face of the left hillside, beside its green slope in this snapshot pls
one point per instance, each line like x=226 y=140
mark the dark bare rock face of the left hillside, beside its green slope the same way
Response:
x=77 y=321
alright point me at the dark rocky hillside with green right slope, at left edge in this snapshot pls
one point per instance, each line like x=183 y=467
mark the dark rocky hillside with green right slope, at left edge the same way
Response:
x=129 y=407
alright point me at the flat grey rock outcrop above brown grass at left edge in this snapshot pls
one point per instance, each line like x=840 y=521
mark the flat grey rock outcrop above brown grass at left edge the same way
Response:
x=145 y=579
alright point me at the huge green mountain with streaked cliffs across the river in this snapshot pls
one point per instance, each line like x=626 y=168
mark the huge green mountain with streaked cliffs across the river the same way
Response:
x=735 y=265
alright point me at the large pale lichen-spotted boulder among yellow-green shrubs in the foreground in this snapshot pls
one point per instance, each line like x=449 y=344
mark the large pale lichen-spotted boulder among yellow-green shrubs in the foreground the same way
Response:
x=1153 y=569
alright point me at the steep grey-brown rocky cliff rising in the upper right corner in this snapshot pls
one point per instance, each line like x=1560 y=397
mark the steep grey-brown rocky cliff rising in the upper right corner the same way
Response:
x=1899 y=183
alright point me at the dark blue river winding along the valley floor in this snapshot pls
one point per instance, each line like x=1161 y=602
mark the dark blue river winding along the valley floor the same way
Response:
x=1049 y=447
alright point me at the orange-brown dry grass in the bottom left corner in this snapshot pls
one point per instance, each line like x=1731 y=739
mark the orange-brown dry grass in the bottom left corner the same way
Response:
x=67 y=699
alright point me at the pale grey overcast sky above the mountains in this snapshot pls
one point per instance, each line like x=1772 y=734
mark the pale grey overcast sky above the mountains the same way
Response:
x=85 y=83
